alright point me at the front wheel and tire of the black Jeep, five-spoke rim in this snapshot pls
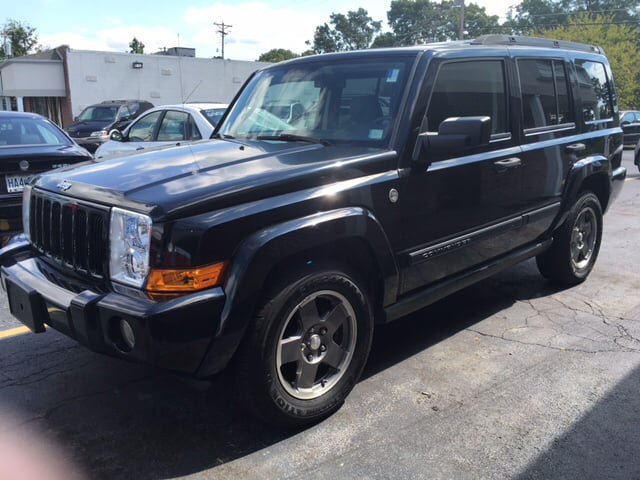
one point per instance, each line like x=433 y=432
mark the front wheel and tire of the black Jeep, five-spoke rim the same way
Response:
x=306 y=348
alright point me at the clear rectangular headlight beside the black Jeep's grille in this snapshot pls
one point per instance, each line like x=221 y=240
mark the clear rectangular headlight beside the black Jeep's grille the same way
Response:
x=129 y=235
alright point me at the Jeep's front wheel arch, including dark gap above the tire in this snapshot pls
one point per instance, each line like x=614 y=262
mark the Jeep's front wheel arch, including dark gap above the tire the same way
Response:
x=349 y=236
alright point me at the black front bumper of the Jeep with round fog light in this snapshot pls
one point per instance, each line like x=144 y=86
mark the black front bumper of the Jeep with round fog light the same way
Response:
x=176 y=334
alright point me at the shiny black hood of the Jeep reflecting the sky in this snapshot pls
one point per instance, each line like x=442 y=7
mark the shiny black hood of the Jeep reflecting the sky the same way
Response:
x=206 y=175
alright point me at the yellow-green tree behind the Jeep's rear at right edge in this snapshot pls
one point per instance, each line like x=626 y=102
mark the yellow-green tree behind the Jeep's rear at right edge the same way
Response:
x=620 y=43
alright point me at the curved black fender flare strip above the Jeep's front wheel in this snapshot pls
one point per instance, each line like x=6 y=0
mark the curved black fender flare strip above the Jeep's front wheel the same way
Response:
x=259 y=253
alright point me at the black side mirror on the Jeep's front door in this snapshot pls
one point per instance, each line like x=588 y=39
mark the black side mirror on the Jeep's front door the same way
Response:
x=455 y=135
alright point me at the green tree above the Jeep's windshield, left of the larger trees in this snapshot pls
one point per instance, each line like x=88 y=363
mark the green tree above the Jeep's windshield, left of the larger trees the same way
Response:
x=353 y=31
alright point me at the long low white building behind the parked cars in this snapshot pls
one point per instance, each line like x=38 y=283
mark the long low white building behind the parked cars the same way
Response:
x=59 y=83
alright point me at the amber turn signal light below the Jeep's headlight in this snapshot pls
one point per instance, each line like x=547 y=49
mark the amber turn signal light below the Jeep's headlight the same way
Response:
x=169 y=280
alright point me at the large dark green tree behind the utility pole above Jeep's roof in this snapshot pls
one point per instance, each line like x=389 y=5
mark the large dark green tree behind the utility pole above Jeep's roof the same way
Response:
x=422 y=21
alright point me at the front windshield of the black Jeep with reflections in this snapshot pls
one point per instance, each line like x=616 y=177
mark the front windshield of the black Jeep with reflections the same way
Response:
x=354 y=100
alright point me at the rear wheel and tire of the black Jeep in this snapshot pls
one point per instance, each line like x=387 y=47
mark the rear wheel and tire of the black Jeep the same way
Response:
x=576 y=243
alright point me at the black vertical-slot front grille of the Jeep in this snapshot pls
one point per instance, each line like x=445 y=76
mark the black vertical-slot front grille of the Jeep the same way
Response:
x=71 y=233
